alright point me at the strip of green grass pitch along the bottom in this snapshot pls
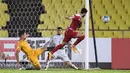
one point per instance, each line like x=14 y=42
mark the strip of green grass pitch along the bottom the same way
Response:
x=62 y=71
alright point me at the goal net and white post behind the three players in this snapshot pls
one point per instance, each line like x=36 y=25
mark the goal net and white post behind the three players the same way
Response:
x=39 y=18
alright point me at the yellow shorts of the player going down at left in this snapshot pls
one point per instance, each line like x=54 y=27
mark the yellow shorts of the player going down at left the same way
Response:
x=34 y=58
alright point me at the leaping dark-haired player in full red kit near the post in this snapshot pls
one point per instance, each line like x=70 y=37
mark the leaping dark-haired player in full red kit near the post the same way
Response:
x=72 y=32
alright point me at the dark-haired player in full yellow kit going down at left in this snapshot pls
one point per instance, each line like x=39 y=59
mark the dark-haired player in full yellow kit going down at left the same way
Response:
x=31 y=54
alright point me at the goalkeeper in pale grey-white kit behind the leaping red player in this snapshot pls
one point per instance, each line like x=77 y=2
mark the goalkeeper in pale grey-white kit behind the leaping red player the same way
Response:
x=60 y=54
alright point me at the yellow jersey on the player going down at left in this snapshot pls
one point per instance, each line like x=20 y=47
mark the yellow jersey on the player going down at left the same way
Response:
x=25 y=47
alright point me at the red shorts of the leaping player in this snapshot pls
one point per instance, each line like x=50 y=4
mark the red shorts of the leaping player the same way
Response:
x=69 y=34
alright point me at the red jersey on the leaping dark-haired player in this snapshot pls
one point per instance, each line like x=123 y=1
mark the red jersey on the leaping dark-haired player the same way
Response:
x=76 y=22
